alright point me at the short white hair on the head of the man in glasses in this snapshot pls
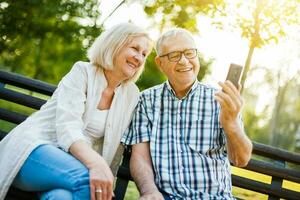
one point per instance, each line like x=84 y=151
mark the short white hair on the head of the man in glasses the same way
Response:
x=170 y=33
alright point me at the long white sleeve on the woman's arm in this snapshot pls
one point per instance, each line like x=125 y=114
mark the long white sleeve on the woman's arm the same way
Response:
x=71 y=98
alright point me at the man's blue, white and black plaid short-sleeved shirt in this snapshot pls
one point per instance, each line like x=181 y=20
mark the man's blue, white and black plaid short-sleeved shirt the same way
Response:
x=187 y=143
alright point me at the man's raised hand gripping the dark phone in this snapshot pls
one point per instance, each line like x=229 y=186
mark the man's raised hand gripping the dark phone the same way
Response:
x=231 y=103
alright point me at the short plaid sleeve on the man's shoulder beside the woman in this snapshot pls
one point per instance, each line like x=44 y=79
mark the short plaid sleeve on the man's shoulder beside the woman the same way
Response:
x=140 y=127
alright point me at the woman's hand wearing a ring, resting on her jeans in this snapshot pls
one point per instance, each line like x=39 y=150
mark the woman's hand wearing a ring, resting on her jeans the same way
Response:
x=101 y=179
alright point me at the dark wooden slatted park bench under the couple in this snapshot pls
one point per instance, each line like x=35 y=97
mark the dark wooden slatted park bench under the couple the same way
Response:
x=21 y=90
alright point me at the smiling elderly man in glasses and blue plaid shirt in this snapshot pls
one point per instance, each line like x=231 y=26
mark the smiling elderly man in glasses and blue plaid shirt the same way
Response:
x=184 y=132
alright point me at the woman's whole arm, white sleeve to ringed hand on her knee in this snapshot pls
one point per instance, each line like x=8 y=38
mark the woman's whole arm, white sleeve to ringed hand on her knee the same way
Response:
x=71 y=99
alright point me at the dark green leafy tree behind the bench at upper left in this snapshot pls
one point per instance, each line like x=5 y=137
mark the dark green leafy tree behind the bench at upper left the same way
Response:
x=43 y=39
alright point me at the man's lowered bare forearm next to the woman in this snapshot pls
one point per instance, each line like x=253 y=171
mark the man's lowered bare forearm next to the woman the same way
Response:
x=142 y=172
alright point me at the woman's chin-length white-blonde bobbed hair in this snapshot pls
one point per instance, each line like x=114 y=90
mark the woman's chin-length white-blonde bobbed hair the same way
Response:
x=107 y=45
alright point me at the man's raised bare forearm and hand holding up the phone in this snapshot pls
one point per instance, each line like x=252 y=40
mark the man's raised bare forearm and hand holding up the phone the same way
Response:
x=239 y=146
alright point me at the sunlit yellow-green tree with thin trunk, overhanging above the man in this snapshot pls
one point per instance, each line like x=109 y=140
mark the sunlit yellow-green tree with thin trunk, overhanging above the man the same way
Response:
x=260 y=21
